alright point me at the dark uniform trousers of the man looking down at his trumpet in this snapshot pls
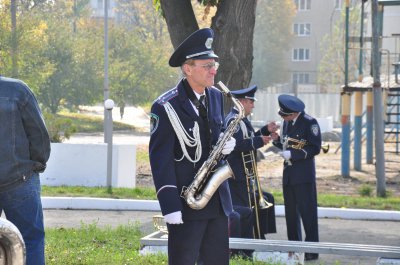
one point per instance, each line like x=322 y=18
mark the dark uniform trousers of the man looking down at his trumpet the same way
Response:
x=301 y=205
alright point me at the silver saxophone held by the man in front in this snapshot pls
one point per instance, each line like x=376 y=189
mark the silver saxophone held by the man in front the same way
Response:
x=204 y=185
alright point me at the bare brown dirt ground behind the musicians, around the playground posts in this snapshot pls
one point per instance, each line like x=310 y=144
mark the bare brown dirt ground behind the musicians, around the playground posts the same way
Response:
x=329 y=179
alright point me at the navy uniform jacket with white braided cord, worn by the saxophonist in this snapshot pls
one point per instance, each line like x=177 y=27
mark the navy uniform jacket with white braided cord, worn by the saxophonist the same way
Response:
x=171 y=170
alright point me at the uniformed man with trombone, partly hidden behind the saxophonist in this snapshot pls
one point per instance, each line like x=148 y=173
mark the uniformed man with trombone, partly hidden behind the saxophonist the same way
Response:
x=248 y=141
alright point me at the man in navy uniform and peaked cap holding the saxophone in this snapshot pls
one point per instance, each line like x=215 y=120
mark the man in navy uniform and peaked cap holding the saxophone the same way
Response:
x=186 y=122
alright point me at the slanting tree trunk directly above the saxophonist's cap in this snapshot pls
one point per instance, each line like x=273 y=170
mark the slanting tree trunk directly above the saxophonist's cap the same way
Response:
x=180 y=19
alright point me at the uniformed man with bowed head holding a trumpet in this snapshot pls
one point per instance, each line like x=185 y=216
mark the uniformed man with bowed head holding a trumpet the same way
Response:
x=300 y=141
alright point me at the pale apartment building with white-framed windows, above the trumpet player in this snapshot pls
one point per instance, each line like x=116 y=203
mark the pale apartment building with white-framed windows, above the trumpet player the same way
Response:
x=314 y=19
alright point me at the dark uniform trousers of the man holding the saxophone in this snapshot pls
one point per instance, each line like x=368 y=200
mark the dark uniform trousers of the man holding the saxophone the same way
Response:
x=206 y=240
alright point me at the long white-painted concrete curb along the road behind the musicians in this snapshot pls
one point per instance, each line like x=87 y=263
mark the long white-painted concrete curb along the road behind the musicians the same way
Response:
x=86 y=203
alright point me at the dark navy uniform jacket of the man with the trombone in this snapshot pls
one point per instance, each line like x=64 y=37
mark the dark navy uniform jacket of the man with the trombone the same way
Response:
x=237 y=184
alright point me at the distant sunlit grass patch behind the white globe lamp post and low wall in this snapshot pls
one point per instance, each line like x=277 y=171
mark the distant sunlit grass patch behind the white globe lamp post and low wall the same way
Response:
x=88 y=124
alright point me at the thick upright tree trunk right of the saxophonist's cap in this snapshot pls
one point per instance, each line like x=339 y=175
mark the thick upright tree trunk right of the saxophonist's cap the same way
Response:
x=233 y=25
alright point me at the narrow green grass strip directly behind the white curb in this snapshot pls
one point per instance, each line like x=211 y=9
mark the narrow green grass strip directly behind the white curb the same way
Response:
x=324 y=200
